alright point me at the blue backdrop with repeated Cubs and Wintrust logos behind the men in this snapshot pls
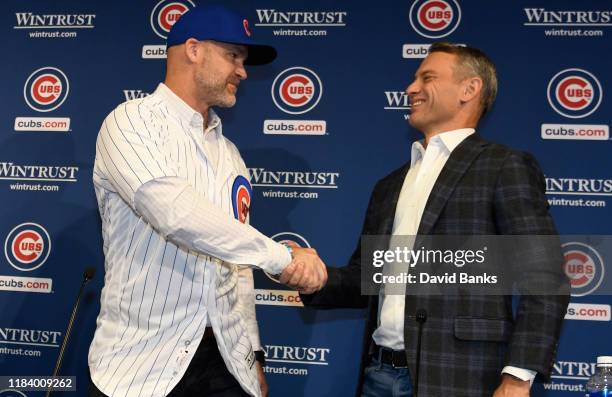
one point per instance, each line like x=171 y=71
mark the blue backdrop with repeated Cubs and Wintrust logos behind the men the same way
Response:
x=317 y=129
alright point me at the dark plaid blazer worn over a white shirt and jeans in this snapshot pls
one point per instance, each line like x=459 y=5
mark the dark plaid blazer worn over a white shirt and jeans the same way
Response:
x=483 y=189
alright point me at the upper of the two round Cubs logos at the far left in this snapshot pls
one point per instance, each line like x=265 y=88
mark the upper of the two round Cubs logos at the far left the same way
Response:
x=46 y=89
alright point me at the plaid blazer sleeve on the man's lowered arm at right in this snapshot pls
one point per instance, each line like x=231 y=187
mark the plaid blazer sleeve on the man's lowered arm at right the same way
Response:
x=521 y=208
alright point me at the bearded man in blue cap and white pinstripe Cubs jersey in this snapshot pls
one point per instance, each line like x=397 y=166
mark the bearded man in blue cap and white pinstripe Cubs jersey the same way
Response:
x=177 y=314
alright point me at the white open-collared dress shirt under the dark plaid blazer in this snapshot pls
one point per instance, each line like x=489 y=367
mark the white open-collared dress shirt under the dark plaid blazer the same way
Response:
x=425 y=167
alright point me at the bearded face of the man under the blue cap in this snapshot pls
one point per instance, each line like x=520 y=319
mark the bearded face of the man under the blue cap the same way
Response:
x=219 y=72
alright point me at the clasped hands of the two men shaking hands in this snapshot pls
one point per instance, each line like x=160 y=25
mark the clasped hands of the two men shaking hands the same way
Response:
x=306 y=272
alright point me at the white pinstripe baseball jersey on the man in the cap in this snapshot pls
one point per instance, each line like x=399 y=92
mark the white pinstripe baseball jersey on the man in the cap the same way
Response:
x=166 y=219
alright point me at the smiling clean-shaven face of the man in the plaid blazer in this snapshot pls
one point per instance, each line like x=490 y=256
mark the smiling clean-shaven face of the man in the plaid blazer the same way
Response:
x=435 y=95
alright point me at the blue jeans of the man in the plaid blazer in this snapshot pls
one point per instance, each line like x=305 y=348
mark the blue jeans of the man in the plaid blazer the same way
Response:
x=382 y=380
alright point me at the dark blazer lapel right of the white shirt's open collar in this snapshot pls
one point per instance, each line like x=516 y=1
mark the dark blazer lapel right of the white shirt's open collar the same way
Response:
x=458 y=163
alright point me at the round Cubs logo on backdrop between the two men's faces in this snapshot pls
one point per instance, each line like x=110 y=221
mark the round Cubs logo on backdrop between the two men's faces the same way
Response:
x=296 y=90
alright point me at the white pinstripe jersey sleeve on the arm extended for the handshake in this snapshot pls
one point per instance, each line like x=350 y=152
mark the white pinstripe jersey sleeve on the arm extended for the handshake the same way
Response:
x=134 y=158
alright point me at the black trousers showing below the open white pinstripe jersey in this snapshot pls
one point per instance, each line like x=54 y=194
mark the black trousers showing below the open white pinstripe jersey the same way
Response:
x=205 y=376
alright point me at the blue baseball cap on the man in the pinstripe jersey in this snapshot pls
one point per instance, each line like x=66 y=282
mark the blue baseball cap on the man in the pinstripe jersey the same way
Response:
x=219 y=24
